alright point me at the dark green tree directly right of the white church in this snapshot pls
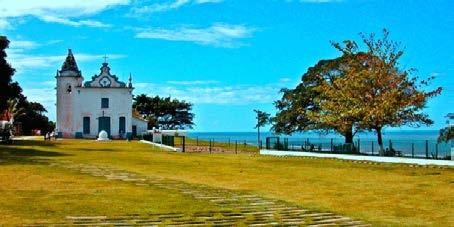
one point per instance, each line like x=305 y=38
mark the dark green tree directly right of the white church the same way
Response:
x=164 y=112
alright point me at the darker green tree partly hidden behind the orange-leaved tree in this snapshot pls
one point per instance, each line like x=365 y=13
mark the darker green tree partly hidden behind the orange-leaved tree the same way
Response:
x=305 y=107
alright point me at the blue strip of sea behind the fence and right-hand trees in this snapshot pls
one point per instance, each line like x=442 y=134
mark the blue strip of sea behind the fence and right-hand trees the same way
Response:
x=417 y=143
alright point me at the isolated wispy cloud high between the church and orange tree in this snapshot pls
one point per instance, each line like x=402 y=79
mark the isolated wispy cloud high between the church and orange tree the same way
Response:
x=222 y=35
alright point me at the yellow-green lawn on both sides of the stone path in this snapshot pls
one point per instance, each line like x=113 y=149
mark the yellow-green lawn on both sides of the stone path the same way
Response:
x=385 y=194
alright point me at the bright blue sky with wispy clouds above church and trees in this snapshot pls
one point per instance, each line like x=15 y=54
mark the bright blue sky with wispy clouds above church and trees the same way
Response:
x=227 y=57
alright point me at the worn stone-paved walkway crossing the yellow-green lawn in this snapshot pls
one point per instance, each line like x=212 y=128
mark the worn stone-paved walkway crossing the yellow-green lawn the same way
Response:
x=236 y=207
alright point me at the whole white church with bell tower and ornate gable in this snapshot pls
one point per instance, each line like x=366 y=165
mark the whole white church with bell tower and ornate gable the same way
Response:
x=86 y=108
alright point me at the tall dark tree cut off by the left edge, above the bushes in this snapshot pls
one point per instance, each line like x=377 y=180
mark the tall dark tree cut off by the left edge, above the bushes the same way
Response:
x=8 y=88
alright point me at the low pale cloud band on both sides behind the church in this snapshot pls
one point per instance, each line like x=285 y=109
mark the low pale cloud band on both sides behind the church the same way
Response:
x=200 y=92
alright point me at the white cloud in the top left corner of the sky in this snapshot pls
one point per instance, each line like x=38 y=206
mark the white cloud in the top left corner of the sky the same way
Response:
x=57 y=11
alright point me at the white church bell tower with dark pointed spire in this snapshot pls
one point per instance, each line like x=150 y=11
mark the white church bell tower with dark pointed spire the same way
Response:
x=69 y=78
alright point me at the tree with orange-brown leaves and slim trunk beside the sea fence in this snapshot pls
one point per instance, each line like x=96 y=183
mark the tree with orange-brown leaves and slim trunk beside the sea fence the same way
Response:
x=378 y=90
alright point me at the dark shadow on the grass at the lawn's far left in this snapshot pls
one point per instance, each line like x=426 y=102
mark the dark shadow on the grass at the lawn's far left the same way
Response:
x=18 y=154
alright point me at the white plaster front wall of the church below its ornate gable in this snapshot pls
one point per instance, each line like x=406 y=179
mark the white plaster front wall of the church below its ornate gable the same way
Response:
x=88 y=104
